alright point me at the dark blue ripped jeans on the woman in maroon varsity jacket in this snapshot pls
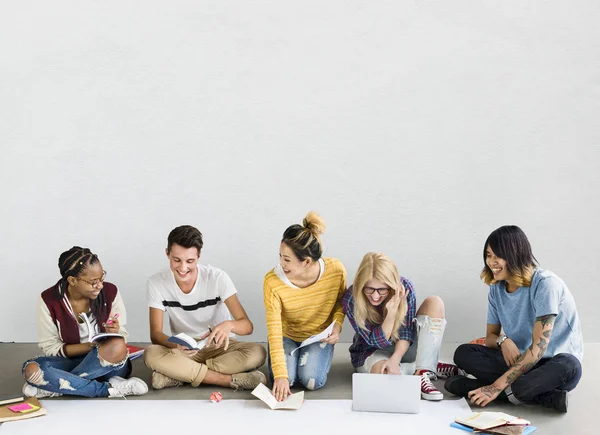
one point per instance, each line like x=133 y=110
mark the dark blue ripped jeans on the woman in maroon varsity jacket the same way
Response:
x=80 y=376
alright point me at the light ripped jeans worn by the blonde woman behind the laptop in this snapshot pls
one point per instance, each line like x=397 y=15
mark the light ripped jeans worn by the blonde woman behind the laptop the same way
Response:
x=422 y=354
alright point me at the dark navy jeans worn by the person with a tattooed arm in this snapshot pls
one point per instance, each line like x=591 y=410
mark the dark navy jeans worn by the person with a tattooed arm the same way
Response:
x=560 y=372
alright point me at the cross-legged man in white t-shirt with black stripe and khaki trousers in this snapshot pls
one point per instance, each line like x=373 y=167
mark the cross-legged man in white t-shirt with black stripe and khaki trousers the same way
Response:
x=200 y=301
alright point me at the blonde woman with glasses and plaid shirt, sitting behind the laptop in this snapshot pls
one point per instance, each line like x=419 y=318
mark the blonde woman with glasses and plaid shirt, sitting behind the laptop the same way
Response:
x=393 y=336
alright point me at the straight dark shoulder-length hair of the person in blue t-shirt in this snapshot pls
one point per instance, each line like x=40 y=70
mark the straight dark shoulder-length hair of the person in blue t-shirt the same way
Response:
x=511 y=244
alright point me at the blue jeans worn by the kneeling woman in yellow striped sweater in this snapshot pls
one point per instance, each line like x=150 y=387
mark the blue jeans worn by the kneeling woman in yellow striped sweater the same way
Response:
x=309 y=365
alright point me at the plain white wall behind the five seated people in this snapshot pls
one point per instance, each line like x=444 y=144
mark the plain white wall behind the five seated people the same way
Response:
x=414 y=127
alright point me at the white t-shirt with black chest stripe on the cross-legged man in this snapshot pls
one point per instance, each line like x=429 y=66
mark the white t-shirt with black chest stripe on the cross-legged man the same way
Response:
x=195 y=312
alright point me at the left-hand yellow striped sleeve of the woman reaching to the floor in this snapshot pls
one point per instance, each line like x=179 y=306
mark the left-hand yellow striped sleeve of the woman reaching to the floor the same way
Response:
x=274 y=332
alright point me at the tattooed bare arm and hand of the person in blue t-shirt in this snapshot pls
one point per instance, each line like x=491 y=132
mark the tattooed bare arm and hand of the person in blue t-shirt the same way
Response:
x=542 y=331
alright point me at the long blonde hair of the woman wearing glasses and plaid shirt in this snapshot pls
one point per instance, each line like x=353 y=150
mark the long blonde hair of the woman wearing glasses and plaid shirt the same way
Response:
x=377 y=266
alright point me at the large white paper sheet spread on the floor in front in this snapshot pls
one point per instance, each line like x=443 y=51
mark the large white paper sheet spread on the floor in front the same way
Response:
x=232 y=417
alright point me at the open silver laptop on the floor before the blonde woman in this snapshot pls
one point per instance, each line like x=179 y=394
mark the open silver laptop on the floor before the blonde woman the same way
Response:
x=386 y=393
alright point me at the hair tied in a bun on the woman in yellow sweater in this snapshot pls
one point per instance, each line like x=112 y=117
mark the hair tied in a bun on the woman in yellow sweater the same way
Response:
x=305 y=240
